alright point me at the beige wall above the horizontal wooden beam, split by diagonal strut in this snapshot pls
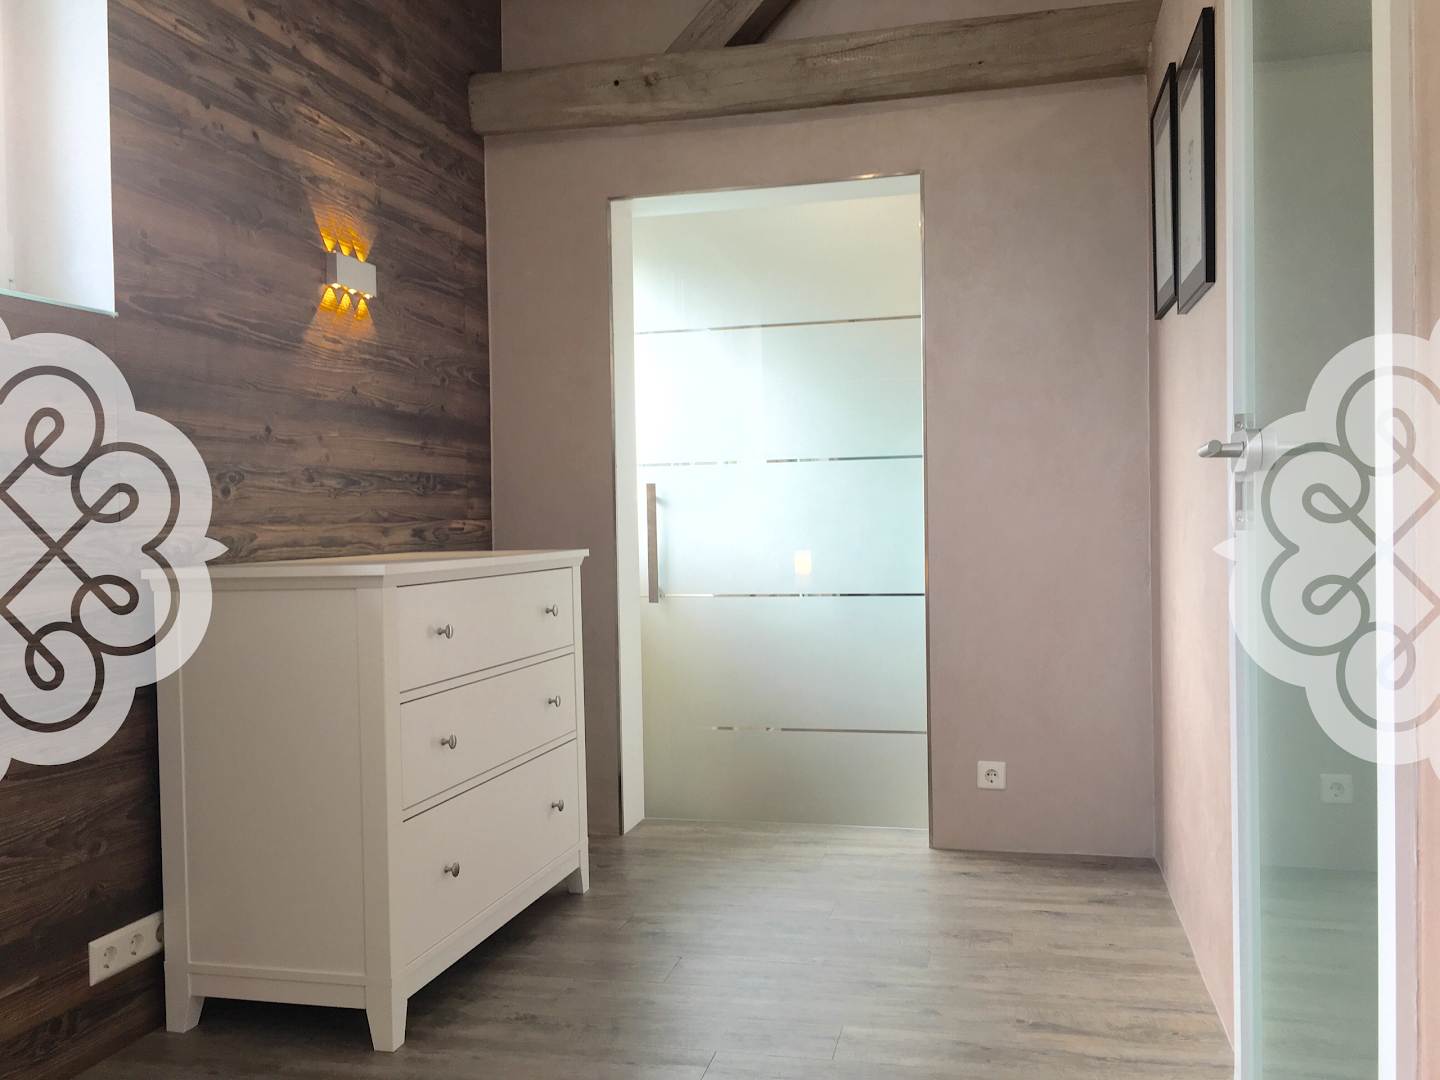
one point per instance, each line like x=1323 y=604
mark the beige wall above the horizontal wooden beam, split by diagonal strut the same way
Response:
x=542 y=32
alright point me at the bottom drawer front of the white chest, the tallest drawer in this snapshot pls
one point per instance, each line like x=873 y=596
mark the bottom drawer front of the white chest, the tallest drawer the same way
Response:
x=498 y=834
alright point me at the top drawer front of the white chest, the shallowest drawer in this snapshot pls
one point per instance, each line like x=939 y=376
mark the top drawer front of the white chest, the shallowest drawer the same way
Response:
x=454 y=629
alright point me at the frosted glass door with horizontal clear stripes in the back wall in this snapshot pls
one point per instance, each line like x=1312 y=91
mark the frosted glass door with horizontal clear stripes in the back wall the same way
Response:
x=778 y=401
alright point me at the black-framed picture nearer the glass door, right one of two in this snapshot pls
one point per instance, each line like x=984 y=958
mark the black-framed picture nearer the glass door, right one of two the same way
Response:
x=1196 y=163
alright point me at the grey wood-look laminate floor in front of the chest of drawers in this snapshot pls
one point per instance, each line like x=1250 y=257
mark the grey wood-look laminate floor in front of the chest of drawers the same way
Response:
x=777 y=953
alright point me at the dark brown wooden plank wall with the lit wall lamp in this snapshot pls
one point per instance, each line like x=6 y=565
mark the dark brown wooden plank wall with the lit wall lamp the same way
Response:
x=243 y=129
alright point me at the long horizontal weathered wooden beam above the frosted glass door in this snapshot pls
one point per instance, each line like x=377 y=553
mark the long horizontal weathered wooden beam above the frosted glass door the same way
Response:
x=1030 y=50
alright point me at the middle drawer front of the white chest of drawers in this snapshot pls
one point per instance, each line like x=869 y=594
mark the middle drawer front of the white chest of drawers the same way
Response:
x=451 y=737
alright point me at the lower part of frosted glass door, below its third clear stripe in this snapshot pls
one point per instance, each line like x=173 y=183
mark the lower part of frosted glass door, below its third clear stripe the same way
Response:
x=739 y=695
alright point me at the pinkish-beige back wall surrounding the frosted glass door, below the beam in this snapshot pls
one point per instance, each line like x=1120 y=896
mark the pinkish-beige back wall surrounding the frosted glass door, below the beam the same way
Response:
x=1038 y=282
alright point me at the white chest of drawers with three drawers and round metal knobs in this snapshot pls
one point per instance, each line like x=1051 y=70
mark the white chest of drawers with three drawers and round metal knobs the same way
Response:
x=366 y=770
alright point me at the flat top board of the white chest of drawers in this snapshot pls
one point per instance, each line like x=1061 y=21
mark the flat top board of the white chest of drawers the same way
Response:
x=402 y=568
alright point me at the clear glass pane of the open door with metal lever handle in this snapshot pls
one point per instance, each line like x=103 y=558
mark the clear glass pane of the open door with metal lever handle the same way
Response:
x=1314 y=860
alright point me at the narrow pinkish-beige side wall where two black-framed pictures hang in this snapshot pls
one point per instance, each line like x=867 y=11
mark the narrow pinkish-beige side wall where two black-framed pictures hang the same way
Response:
x=1189 y=407
